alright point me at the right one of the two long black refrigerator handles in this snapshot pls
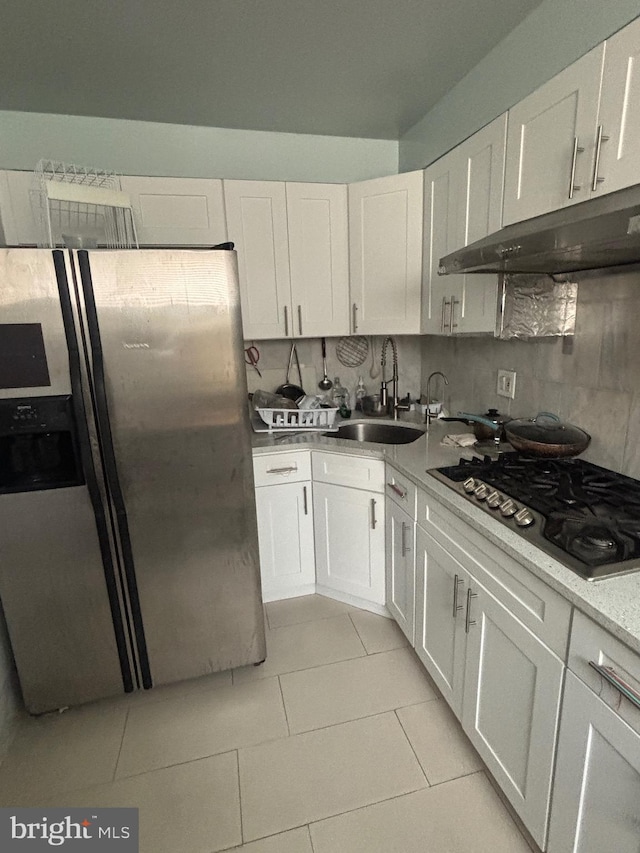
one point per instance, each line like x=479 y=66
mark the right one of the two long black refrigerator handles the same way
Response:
x=110 y=464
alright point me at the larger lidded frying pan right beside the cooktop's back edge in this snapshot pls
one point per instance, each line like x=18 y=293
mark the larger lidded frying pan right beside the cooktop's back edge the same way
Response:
x=547 y=436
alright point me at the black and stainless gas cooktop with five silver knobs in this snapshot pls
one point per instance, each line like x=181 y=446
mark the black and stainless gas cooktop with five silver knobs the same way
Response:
x=586 y=517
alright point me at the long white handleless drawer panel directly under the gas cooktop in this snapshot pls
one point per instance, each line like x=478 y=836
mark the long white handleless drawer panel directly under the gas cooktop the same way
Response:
x=536 y=605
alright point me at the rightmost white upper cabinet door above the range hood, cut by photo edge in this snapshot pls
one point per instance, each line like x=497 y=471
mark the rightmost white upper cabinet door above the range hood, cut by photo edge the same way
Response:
x=619 y=118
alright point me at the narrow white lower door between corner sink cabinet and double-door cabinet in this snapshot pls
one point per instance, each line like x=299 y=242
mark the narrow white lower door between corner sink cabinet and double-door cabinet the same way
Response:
x=401 y=567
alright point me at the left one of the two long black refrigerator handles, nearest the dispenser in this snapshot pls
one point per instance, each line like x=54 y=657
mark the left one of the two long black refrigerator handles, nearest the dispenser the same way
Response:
x=77 y=399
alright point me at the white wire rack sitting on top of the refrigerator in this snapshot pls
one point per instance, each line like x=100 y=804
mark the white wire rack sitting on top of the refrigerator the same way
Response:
x=81 y=208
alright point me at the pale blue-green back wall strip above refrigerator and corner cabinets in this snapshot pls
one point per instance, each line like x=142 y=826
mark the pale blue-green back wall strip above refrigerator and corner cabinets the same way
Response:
x=149 y=148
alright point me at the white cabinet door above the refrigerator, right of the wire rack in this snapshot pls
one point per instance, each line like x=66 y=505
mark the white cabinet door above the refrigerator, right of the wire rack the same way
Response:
x=177 y=211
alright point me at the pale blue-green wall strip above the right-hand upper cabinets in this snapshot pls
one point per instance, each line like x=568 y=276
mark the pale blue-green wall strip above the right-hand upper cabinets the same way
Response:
x=552 y=37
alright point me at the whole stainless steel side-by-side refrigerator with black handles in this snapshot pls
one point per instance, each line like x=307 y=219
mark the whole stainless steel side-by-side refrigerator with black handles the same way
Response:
x=128 y=537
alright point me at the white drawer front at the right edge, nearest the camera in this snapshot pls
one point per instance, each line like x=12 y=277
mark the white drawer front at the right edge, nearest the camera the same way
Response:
x=591 y=642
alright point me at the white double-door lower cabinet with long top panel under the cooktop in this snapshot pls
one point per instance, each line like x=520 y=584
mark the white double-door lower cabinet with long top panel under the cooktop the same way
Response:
x=501 y=680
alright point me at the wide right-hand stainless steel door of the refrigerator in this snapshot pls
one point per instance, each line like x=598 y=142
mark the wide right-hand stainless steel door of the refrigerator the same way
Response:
x=171 y=344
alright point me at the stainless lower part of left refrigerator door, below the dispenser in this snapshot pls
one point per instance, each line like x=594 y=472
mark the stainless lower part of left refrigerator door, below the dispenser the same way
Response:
x=52 y=586
